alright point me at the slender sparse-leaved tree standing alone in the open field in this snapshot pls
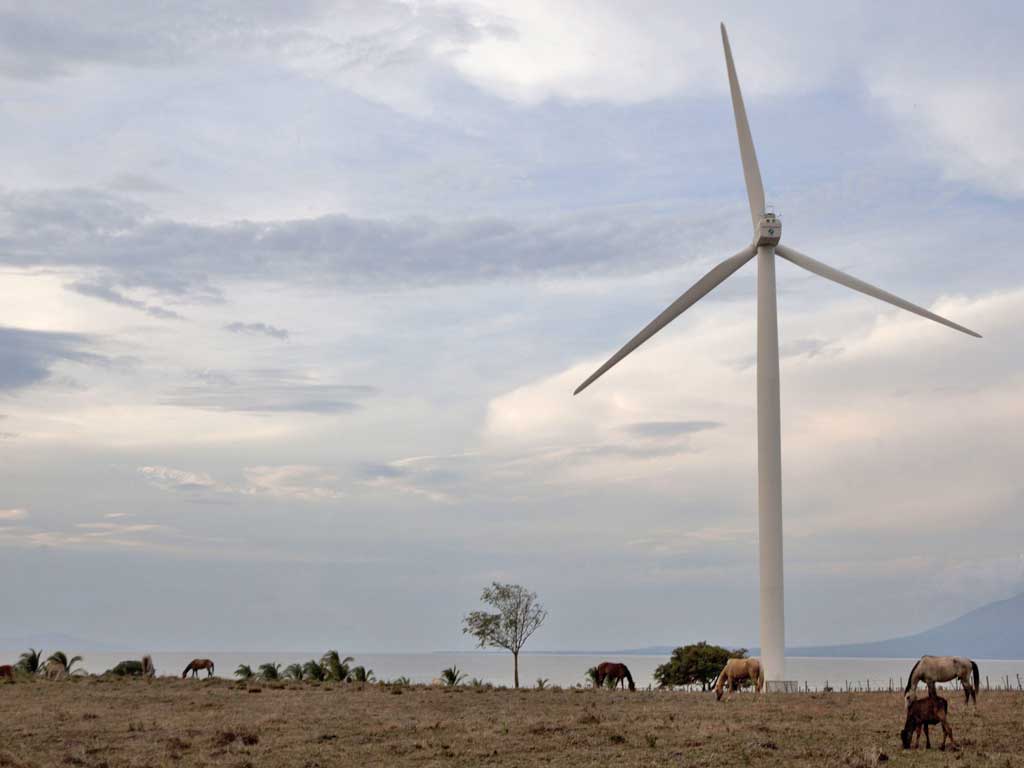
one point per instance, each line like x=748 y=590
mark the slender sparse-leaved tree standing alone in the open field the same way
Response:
x=519 y=616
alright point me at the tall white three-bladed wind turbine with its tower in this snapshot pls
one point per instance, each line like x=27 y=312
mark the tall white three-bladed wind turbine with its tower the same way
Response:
x=767 y=233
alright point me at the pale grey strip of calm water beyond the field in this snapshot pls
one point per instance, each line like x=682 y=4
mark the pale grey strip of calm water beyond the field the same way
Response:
x=559 y=669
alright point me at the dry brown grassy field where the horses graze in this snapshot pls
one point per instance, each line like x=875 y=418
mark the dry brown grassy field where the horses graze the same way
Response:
x=96 y=722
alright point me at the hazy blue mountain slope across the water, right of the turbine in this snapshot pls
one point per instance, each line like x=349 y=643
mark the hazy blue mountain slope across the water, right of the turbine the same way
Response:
x=994 y=631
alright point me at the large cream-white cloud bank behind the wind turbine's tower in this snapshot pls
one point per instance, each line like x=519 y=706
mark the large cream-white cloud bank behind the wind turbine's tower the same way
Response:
x=902 y=404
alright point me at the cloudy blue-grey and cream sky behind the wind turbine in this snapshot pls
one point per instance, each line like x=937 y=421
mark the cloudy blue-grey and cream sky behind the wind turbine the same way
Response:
x=294 y=296
